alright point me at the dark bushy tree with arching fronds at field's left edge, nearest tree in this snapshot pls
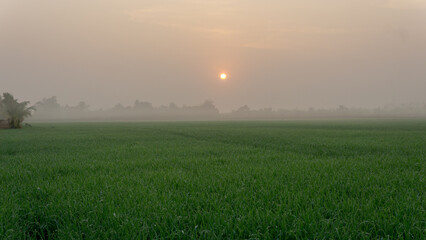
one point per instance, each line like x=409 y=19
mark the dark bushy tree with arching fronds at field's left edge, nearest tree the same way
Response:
x=15 y=111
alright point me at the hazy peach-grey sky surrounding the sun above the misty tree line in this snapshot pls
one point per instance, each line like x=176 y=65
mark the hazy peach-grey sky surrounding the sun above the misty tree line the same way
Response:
x=277 y=53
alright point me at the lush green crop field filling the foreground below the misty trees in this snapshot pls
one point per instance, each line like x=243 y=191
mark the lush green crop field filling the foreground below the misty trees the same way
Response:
x=214 y=180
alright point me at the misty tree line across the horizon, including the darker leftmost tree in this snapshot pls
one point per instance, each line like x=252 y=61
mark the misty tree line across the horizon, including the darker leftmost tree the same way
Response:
x=13 y=112
